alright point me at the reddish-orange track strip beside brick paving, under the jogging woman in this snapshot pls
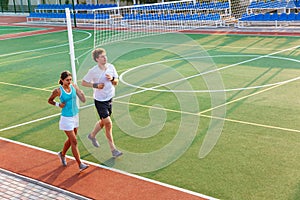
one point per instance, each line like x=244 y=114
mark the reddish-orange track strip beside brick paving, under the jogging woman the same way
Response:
x=96 y=182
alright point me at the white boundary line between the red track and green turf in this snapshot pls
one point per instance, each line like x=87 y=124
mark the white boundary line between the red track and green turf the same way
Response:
x=117 y=171
